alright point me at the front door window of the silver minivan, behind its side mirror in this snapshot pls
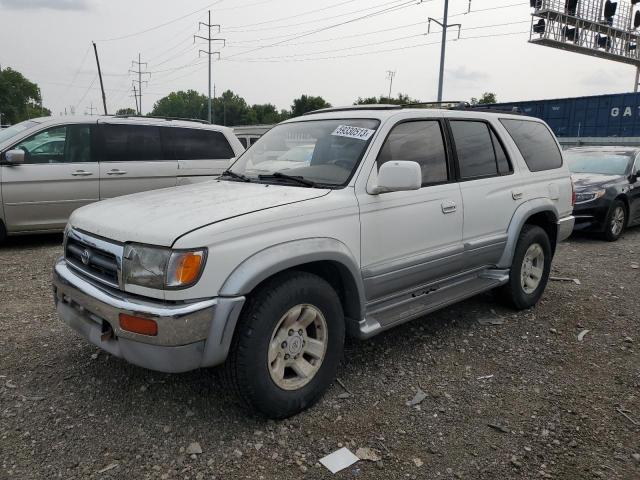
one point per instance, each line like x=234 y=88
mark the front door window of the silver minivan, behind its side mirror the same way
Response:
x=66 y=144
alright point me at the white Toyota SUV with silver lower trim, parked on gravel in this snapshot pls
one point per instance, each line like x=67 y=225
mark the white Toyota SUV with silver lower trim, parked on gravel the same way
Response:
x=396 y=212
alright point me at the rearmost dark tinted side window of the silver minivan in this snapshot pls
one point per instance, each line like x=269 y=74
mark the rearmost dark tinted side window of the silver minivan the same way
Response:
x=195 y=144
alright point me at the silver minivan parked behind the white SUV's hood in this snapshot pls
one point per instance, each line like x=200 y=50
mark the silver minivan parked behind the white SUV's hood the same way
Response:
x=51 y=166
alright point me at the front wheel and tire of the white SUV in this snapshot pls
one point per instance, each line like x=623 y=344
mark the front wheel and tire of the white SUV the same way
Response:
x=263 y=342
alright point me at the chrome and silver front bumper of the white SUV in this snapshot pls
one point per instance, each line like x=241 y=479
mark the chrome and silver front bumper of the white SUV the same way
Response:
x=190 y=335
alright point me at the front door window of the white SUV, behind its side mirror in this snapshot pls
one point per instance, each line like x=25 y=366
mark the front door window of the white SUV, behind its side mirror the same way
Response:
x=419 y=141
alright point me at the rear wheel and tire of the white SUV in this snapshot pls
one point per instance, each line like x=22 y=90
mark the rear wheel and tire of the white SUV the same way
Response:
x=523 y=290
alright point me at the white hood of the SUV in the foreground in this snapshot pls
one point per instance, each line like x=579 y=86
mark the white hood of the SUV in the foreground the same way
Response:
x=159 y=217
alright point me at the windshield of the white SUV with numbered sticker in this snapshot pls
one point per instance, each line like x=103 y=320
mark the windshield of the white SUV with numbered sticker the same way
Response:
x=319 y=152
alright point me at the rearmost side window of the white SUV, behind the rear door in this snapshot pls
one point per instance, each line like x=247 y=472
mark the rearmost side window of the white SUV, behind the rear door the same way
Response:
x=536 y=144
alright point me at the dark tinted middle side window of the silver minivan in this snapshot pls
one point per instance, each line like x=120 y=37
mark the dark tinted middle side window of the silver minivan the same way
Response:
x=130 y=143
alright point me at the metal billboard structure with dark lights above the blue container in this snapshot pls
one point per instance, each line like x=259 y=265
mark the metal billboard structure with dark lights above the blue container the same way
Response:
x=599 y=28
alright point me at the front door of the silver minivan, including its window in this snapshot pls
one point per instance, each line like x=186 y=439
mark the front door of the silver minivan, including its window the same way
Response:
x=59 y=175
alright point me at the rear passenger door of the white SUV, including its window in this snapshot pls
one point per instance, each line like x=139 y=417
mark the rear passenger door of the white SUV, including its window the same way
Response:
x=489 y=195
